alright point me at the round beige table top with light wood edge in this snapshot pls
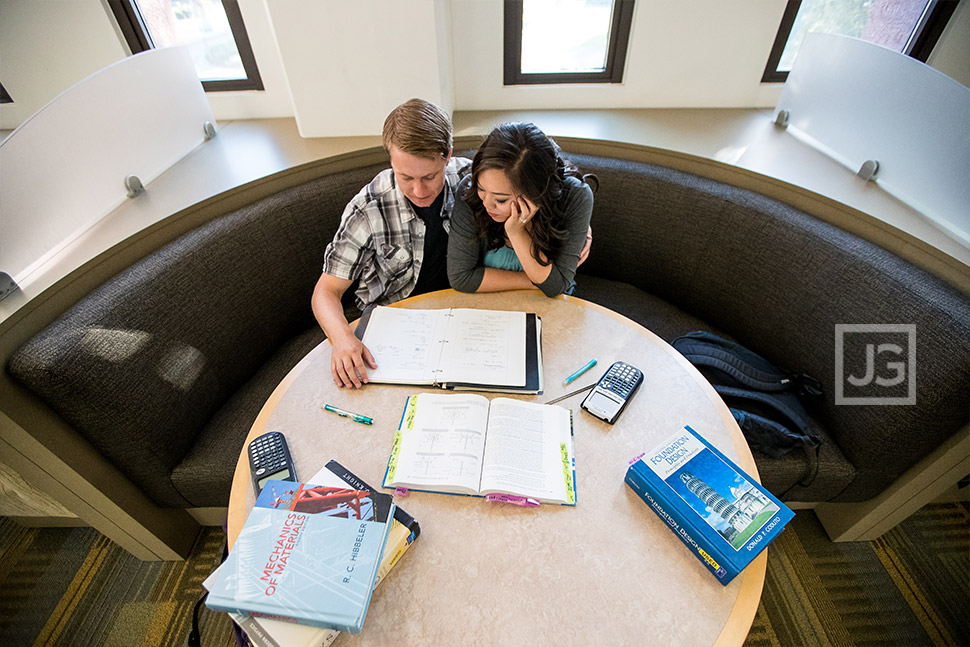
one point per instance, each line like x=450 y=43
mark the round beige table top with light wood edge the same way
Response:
x=605 y=572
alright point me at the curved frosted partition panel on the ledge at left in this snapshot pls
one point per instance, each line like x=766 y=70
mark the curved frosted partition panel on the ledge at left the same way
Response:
x=65 y=167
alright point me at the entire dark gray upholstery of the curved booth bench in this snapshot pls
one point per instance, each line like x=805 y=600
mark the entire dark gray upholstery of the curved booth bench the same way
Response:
x=165 y=366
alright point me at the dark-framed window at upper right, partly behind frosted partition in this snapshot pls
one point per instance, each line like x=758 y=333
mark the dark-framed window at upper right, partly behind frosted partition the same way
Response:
x=910 y=27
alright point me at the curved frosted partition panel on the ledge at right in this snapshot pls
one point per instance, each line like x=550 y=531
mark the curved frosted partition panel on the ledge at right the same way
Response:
x=857 y=101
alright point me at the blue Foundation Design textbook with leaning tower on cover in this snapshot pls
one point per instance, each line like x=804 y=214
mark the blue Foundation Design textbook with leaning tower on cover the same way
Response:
x=723 y=516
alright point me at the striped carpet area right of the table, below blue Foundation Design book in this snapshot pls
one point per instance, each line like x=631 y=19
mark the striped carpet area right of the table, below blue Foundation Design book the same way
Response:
x=910 y=587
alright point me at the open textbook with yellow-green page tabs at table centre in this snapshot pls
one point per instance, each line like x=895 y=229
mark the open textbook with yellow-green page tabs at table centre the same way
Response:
x=464 y=444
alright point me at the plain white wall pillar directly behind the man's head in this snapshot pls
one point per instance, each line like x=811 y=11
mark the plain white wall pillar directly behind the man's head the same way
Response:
x=349 y=63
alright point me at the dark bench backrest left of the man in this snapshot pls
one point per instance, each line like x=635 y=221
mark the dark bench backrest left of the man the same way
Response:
x=143 y=364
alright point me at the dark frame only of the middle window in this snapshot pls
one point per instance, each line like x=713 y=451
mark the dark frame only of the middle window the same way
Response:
x=615 y=53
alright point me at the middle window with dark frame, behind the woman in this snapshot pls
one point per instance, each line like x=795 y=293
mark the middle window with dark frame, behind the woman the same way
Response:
x=566 y=41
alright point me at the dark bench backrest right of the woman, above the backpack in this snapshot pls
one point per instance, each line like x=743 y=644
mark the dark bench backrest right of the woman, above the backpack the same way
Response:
x=779 y=281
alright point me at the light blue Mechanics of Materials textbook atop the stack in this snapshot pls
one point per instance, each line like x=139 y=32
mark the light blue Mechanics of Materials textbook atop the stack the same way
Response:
x=307 y=554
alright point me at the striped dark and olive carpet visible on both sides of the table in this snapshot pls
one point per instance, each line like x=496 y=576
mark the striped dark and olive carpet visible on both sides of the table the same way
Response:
x=71 y=586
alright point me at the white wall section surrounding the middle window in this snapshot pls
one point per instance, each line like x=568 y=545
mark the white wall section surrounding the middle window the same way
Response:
x=698 y=54
